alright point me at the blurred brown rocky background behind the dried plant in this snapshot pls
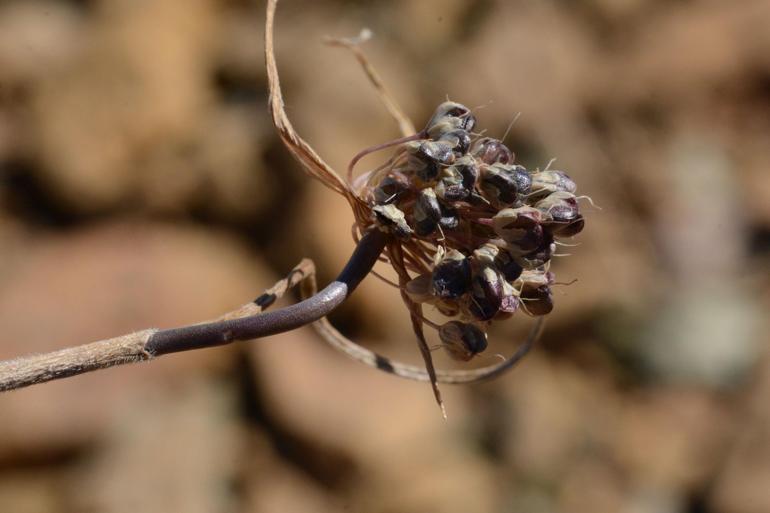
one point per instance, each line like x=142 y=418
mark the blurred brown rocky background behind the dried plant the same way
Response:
x=141 y=184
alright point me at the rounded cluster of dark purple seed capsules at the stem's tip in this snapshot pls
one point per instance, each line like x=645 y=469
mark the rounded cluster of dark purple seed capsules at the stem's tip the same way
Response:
x=480 y=229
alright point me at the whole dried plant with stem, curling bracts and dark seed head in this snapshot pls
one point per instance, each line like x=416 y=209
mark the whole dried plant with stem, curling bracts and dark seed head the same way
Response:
x=467 y=230
